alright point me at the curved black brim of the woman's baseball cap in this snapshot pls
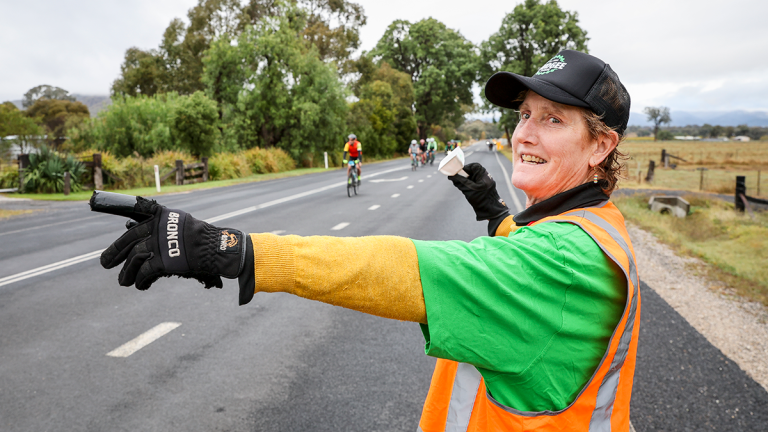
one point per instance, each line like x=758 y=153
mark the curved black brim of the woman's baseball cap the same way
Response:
x=504 y=87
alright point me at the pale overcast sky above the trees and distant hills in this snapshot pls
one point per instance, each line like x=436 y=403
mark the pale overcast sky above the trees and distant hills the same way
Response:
x=688 y=55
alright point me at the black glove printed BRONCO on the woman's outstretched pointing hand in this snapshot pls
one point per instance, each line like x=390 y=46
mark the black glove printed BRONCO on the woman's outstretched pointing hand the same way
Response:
x=172 y=242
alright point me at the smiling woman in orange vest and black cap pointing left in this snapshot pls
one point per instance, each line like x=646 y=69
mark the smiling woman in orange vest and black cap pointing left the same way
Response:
x=535 y=326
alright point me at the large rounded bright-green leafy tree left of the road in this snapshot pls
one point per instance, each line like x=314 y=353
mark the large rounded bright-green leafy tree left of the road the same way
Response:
x=274 y=90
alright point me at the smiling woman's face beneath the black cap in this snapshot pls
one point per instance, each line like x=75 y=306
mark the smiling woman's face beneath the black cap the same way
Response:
x=552 y=147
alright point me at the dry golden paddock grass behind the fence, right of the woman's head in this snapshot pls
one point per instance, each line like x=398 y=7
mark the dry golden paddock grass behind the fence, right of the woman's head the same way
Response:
x=723 y=161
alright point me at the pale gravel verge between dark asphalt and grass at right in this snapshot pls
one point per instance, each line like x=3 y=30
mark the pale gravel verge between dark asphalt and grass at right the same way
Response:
x=737 y=327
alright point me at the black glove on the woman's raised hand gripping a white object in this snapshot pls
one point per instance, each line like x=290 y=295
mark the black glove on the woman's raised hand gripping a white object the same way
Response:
x=480 y=190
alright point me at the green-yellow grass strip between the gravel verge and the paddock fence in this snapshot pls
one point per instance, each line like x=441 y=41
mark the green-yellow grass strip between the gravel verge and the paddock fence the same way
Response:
x=735 y=245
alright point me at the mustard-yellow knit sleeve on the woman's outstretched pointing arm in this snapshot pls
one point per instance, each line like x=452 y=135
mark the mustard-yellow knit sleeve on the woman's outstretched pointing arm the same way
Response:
x=378 y=275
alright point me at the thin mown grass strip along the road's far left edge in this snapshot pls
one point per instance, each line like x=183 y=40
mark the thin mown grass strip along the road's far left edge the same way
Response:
x=151 y=191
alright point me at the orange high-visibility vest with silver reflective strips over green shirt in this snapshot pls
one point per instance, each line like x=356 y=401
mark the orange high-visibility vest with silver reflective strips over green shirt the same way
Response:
x=458 y=400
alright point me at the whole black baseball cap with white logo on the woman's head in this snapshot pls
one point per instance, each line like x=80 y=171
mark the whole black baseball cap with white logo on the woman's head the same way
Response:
x=571 y=78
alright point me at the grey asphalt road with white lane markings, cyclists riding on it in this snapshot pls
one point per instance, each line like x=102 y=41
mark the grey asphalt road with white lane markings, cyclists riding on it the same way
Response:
x=280 y=363
